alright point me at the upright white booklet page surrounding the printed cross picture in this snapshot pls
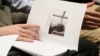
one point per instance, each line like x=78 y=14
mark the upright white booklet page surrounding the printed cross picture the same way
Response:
x=42 y=13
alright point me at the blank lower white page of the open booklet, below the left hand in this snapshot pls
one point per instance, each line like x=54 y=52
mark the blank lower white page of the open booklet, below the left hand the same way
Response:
x=40 y=48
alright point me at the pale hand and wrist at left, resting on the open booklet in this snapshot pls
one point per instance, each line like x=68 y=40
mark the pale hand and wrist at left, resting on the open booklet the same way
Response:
x=23 y=30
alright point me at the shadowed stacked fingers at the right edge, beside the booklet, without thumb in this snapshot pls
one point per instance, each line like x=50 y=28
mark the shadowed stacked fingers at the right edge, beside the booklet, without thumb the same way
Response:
x=91 y=19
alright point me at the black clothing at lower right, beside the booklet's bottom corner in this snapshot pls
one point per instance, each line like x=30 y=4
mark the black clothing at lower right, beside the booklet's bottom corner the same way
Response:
x=86 y=48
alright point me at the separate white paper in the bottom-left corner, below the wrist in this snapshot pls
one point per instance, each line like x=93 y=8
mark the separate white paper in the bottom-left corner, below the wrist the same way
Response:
x=6 y=43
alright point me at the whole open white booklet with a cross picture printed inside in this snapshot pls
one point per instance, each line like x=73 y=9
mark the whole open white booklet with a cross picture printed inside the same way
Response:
x=60 y=24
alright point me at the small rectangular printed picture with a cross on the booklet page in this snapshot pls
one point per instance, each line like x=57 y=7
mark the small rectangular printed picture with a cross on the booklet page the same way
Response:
x=58 y=22
